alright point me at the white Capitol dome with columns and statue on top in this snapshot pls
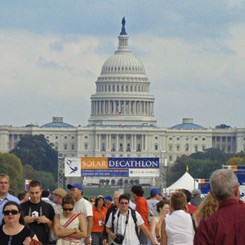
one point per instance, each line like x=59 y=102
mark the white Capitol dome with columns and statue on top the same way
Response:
x=122 y=90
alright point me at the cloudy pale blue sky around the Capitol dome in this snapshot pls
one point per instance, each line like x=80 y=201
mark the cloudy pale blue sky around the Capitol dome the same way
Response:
x=52 y=51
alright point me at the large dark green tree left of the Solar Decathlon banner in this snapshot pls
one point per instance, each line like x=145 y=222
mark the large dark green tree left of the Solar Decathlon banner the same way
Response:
x=35 y=151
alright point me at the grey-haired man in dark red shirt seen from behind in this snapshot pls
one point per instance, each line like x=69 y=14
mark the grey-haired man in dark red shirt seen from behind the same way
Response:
x=226 y=225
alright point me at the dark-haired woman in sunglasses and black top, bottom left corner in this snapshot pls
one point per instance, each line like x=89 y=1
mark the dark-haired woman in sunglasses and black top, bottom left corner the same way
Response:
x=13 y=230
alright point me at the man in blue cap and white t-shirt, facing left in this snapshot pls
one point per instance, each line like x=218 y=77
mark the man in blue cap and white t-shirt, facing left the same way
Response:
x=82 y=206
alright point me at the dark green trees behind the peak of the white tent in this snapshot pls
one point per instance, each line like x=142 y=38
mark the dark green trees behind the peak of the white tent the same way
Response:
x=200 y=164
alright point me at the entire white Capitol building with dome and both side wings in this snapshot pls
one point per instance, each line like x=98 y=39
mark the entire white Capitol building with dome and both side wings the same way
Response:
x=122 y=121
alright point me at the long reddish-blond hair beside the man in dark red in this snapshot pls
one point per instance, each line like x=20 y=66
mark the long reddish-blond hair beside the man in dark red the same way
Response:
x=207 y=207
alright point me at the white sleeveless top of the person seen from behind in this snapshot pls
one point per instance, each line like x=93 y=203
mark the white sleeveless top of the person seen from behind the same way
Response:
x=179 y=228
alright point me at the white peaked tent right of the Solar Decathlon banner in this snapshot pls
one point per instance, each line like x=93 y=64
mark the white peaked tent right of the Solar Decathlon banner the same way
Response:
x=186 y=181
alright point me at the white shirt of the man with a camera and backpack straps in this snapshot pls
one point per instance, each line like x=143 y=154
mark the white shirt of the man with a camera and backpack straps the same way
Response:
x=119 y=227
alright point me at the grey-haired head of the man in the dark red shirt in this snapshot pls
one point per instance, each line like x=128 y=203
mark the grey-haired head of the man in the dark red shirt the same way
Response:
x=224 y=184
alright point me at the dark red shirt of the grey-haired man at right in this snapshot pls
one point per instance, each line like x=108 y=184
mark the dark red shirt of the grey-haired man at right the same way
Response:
x=224 y=227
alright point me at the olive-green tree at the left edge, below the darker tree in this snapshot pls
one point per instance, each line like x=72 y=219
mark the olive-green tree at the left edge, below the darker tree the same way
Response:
x=12 y=166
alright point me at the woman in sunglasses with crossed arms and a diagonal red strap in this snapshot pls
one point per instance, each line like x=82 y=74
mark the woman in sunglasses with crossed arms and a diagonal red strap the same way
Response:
x=69 y=226
